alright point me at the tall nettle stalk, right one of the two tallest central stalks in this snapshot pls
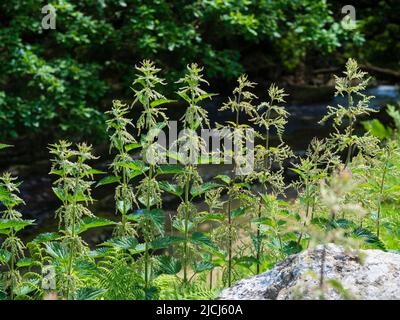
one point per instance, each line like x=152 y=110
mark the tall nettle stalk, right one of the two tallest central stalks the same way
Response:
x=192 y=147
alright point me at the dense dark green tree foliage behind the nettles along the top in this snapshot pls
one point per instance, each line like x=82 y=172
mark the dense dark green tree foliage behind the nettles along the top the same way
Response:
x=89 y=58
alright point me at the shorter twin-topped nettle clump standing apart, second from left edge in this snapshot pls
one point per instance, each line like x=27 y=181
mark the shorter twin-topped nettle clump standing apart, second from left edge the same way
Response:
x=73 y=188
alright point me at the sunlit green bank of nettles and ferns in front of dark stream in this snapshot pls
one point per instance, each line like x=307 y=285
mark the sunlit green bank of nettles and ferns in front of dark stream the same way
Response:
x=233 y=226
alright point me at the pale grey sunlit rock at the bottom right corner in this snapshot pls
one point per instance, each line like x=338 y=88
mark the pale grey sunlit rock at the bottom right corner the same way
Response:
x=362 y=274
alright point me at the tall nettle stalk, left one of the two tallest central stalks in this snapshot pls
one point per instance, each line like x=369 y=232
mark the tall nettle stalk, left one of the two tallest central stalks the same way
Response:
x=152 y=119
